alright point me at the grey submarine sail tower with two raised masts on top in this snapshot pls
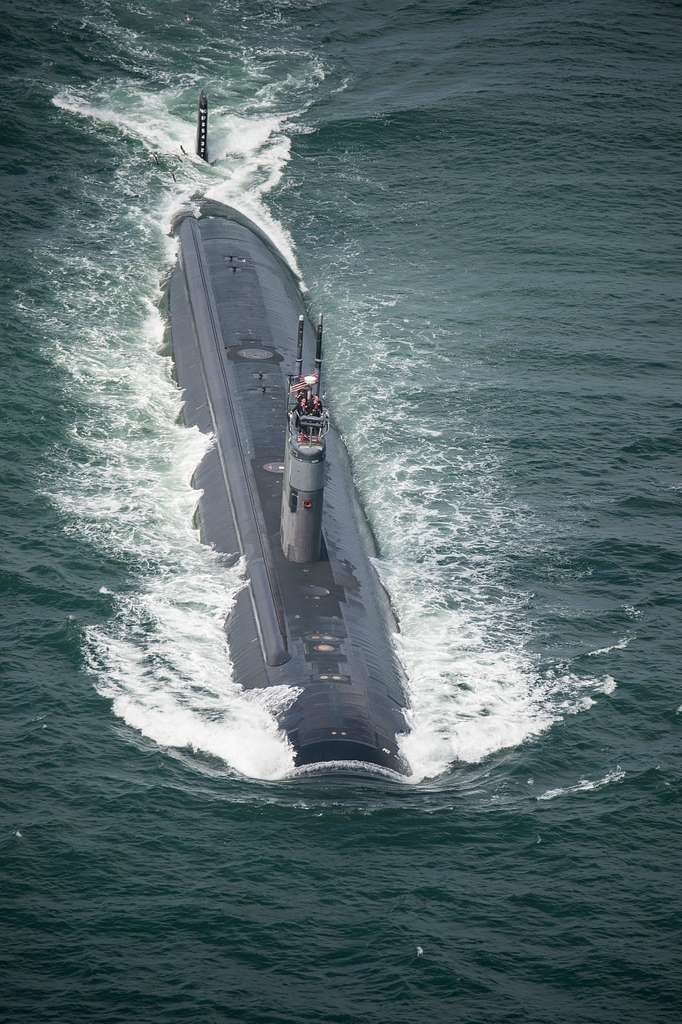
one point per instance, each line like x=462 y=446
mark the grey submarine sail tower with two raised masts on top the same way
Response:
x=304 y=490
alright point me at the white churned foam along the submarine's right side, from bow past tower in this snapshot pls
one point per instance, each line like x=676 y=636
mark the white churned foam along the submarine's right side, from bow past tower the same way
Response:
x=447 y=526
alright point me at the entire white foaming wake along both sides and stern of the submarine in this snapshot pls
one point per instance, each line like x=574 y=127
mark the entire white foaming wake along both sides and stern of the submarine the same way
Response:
x=163 y=659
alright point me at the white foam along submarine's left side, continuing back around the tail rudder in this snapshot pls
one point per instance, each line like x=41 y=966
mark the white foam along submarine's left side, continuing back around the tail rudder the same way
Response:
x=163 y=658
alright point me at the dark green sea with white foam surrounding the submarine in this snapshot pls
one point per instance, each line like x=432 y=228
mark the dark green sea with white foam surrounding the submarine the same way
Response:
x=485 y=199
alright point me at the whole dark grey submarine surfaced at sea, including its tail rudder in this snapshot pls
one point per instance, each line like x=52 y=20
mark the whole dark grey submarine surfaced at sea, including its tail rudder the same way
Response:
x=276 y=491
